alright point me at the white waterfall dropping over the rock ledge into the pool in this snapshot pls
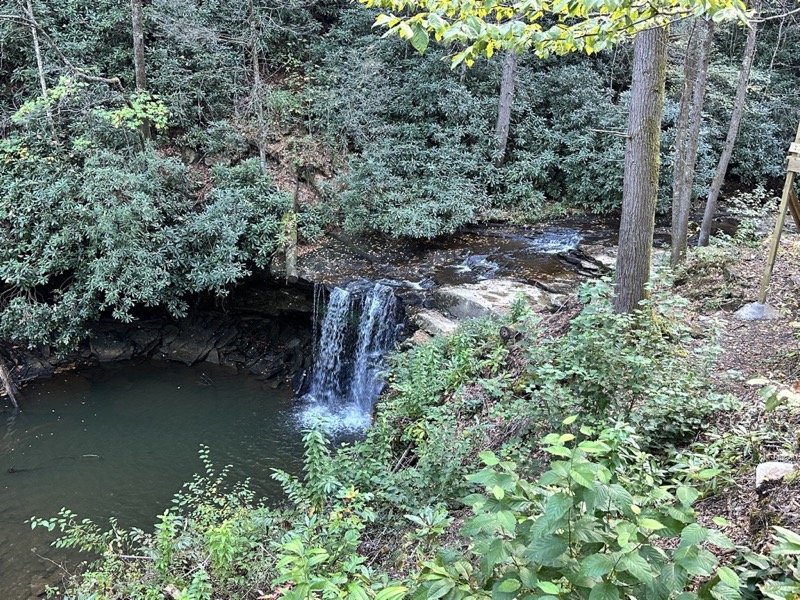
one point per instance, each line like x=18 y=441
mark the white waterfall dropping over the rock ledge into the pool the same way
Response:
x=355 y=333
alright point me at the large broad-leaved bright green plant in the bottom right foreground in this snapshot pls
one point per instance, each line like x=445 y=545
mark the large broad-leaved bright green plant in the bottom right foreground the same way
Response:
x=577 y=532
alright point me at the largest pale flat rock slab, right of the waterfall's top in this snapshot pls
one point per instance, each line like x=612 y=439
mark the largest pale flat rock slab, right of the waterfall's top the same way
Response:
x=493 y=297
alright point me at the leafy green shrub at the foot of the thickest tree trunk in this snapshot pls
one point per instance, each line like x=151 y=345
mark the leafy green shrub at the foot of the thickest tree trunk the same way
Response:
x=642 y=368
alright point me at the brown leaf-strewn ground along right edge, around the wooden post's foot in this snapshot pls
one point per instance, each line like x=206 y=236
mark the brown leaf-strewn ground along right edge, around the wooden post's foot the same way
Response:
x=719 y=283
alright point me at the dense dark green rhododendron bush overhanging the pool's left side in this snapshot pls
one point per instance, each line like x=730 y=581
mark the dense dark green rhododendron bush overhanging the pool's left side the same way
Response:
x=93 y=225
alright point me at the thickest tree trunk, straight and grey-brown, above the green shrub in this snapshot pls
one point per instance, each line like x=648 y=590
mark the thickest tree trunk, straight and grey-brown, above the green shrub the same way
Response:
x=640 y=184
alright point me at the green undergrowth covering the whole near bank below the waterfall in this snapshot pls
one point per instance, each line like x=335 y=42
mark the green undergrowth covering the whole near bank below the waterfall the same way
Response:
x=461 y=490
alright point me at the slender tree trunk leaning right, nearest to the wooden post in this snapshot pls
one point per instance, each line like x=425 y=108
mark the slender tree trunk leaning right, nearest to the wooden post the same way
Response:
x=733 y=130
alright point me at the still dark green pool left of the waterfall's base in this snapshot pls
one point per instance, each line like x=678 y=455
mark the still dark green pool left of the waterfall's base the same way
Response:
x=120 y=441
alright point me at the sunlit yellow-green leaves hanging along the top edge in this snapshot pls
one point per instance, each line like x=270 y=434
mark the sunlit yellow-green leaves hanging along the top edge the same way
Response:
x=546 y=27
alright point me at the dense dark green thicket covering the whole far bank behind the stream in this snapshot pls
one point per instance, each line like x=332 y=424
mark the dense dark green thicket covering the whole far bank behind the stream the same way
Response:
x=390 y=140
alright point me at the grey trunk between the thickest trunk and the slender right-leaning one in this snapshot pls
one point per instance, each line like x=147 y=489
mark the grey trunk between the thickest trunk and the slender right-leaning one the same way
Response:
x=698 y=54
